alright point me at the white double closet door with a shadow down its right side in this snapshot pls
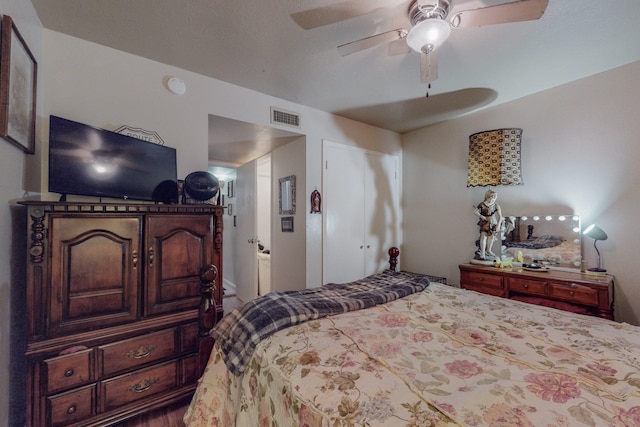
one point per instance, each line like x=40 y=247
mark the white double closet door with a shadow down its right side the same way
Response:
x=360 y=211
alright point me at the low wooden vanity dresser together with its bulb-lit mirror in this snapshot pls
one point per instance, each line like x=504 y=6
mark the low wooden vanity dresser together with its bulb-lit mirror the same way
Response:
x=554 y=243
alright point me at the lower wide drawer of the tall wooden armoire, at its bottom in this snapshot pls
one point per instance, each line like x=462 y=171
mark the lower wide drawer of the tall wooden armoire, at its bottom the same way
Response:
x=137 y=385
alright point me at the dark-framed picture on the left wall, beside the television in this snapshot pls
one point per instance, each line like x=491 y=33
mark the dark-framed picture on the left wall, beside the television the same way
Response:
x=18 y=83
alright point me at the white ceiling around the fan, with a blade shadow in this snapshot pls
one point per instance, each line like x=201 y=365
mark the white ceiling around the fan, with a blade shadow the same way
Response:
x=256 y=44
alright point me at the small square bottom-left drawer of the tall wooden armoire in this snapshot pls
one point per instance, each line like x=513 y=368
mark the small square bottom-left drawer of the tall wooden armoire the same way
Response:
x=68 y=408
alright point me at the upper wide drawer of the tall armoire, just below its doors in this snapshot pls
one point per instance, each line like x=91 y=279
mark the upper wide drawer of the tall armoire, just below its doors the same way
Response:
x=135 y=352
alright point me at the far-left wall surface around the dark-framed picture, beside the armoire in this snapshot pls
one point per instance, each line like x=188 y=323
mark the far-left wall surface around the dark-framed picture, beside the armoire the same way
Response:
x=15 y=177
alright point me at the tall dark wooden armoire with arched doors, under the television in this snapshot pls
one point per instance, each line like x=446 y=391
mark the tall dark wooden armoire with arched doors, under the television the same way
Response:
x=113 y=298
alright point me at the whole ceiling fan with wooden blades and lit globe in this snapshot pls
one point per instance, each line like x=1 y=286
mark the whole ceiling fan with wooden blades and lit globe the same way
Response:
x=430 y=24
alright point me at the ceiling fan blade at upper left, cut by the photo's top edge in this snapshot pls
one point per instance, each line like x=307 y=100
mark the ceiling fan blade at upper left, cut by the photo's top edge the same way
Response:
x=331 y=14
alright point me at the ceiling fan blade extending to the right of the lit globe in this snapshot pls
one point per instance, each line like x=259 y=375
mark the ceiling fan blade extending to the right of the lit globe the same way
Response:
x=523 y=10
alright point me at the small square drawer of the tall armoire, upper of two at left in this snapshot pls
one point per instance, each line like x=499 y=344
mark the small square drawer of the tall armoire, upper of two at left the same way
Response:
x=71 y=370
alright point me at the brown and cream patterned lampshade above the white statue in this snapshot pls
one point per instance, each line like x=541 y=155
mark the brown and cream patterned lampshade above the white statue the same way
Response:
x=494 y=158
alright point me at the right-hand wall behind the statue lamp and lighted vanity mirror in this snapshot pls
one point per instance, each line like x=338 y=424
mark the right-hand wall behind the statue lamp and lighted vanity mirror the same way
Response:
x=580 y=154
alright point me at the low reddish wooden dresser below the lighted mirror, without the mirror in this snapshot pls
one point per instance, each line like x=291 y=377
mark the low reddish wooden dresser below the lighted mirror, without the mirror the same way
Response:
x=577 y=292
